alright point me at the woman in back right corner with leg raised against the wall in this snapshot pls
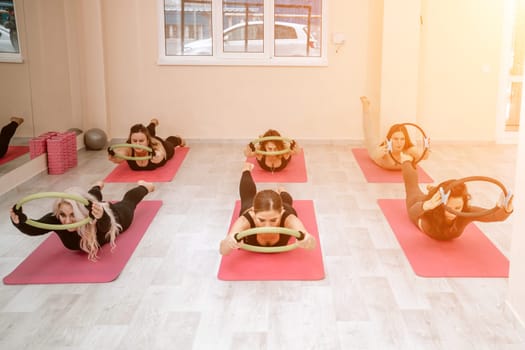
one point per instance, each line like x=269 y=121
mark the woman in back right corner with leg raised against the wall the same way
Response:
x=379 y=151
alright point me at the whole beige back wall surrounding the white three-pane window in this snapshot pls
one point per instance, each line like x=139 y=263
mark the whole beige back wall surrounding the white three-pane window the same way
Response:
x=92 y=63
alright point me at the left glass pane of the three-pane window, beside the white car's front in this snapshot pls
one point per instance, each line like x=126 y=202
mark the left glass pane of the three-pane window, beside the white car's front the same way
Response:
x=188 y=27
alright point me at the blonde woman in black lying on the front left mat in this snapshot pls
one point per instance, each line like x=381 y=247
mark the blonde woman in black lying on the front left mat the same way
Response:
x=109 y=219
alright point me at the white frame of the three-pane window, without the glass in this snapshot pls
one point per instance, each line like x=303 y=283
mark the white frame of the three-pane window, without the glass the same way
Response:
x=220 y=58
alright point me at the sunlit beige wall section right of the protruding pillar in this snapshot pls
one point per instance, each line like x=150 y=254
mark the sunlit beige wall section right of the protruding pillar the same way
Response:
x=460 y=68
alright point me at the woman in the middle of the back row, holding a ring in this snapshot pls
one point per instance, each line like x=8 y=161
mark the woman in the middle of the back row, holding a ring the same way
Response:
x=272 y=162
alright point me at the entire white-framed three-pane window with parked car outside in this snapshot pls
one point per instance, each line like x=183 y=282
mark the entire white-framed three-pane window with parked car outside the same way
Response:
x=242 y=32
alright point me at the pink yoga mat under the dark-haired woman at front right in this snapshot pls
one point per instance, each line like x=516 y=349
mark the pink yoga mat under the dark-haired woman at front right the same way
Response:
x=470 y=255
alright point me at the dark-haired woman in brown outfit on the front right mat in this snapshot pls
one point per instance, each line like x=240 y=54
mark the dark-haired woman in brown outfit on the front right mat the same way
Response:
x=430 y=216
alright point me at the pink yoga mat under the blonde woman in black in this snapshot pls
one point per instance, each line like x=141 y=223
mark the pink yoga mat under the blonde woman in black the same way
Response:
x=51 y=262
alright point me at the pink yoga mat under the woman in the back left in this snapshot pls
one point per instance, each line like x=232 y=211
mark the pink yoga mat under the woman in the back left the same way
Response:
x=166 y=173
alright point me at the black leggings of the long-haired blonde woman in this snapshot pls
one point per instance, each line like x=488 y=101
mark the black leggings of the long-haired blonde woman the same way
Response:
x=125 y=209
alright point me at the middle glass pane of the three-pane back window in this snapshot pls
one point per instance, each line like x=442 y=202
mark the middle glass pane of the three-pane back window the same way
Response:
x=243 y=25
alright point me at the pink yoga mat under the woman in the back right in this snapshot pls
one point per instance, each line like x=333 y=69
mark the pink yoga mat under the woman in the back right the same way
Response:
x=374 y=173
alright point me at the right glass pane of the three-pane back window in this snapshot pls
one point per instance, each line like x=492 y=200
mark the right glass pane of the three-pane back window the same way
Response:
x=297 y=29
